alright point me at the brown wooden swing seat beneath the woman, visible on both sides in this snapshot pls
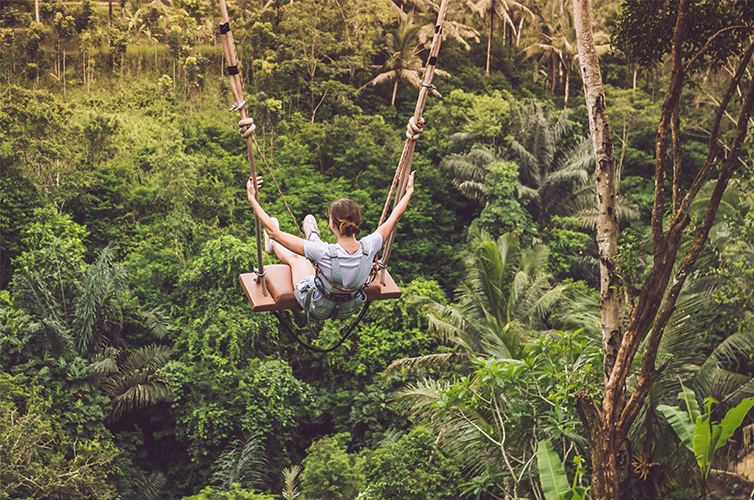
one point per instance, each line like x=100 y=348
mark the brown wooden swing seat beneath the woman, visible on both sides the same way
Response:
x=280 y=289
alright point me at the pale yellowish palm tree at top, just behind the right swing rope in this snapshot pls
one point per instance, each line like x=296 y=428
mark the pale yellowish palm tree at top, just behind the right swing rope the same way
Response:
x=403 y=61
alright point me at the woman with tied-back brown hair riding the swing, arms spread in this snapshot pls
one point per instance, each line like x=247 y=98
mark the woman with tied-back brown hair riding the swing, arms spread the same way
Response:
x=335 y=288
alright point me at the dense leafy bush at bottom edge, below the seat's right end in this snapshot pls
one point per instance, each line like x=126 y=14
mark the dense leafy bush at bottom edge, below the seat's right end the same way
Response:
x=411 y=469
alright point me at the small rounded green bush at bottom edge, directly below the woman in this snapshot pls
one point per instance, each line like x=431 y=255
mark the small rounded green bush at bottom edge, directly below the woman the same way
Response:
x=330 y=473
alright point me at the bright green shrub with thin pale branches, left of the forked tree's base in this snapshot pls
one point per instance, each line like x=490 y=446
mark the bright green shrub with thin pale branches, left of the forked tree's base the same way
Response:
x=498 y=407
